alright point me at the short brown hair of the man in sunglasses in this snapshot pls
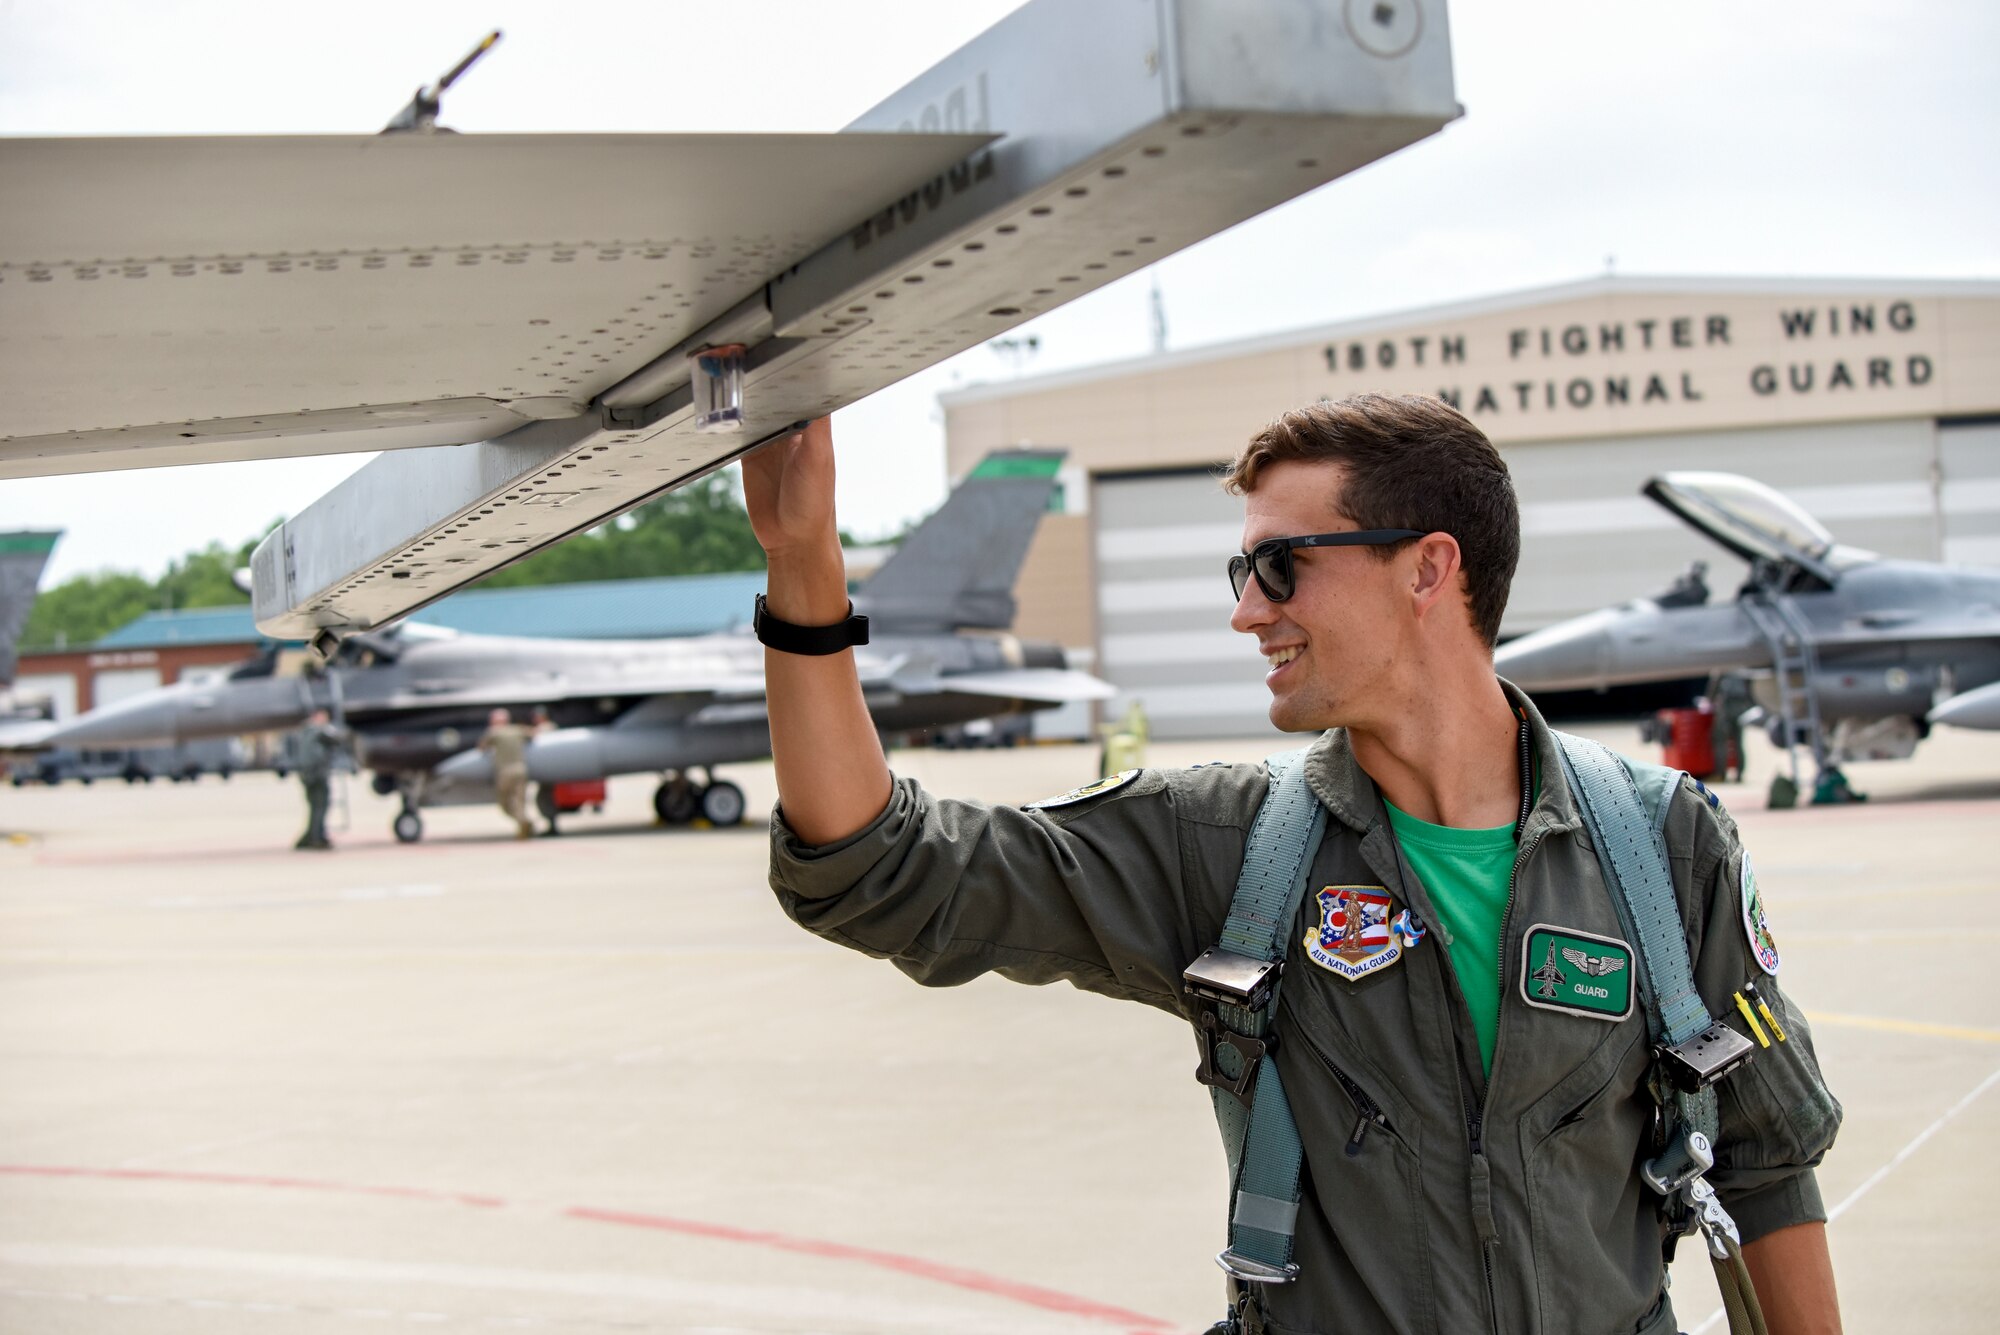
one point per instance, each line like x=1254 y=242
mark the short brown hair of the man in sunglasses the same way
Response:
x=1411 y=463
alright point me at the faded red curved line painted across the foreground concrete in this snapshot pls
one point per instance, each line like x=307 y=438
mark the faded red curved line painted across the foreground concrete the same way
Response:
x=937 y=1272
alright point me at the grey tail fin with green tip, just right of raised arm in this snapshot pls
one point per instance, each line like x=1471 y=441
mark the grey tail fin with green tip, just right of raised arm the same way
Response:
x=959 y=569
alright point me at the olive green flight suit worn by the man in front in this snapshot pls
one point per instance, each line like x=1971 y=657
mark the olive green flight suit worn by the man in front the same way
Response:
x=1469 y=1206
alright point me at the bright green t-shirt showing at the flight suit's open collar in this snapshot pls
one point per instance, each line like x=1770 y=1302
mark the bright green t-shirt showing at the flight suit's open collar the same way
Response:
x=1467 y=874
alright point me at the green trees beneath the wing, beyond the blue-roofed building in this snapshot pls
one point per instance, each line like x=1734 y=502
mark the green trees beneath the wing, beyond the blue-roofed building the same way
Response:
x=697 y=531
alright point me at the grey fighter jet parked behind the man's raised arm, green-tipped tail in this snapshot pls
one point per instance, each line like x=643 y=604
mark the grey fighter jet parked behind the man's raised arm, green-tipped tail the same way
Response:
x=419 y=700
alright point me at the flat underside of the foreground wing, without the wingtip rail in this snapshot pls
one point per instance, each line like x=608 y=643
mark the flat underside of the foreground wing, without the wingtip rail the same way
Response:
x=289 y=295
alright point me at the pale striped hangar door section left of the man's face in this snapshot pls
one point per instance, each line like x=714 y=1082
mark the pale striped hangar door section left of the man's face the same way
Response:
x=1165 y=607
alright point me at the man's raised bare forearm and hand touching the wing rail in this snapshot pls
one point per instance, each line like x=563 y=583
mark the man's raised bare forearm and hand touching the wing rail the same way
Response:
x=831 y=772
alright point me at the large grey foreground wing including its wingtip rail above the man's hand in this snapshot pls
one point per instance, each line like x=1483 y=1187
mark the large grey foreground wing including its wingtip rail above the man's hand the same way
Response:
x=839 y=263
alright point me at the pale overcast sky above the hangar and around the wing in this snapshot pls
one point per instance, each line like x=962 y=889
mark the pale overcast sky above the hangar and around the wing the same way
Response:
x=1783 y=139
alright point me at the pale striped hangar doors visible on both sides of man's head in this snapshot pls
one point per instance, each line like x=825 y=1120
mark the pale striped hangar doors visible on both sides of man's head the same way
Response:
x=1589 y=541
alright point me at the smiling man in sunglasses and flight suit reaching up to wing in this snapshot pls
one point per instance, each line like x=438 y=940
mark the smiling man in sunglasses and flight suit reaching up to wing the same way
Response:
x=1471 y=1130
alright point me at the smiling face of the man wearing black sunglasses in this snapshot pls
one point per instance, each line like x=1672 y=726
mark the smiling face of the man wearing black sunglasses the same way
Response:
x=1333 y=645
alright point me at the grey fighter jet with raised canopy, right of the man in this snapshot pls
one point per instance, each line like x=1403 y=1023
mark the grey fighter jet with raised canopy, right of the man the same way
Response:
x=1847 y=655
